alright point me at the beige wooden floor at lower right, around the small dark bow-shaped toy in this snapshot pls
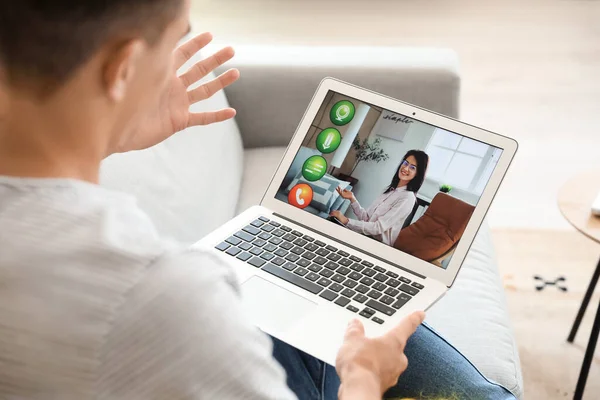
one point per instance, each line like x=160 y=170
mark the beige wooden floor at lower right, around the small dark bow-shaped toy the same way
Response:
x=542 y=319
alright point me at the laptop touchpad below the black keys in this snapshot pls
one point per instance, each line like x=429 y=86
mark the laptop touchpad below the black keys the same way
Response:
x=271 y=307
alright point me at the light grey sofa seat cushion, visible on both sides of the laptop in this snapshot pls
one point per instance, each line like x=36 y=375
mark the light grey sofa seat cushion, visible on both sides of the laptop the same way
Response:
x=473 y=315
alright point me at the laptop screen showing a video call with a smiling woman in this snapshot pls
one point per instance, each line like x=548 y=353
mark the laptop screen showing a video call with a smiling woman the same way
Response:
x=390 y=177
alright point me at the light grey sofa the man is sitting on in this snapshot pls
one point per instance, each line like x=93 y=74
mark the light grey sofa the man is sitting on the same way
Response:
x=200 y=178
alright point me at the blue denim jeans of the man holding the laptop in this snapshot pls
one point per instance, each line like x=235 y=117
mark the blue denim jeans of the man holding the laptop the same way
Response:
x=435 y=370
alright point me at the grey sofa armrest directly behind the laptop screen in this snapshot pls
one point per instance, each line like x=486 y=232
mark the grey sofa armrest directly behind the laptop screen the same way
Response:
x=277 y=83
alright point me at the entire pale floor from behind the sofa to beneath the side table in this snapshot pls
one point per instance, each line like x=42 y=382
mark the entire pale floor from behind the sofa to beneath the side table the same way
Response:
x=530 y=70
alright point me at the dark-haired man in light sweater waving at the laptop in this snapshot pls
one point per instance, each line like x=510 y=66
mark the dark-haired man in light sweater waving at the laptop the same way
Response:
x=93 y=304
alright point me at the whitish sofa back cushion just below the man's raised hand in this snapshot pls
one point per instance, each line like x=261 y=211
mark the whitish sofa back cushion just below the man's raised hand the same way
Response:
x=190 y=183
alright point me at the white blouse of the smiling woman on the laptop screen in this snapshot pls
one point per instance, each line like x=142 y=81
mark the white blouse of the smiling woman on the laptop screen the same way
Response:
x=384 y=218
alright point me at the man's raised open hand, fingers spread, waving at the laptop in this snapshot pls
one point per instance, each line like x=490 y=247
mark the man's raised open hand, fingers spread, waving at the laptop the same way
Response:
x=173 y=114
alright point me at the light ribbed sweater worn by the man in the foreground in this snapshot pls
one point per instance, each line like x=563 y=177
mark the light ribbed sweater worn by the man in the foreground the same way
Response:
x=94 y=305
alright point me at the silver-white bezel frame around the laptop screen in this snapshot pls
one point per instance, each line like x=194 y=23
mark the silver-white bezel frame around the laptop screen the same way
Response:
x=448 y=275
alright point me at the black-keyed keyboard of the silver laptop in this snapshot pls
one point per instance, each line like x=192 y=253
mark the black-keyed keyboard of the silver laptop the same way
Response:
x=321 y=269
